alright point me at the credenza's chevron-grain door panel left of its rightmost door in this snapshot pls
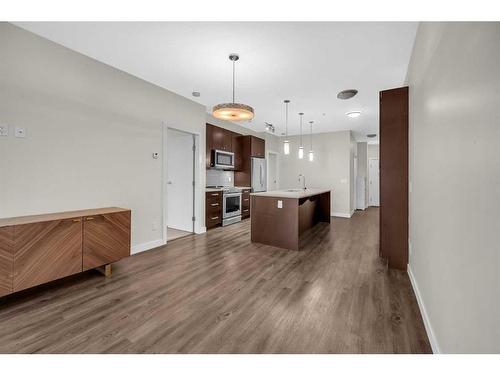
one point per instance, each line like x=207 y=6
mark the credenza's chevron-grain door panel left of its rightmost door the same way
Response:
x=46 y=251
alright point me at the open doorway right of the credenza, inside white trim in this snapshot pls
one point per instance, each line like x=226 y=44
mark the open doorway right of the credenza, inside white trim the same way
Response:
x=180 y=183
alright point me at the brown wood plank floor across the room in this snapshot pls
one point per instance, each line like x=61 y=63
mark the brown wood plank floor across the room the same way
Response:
x=220 y=293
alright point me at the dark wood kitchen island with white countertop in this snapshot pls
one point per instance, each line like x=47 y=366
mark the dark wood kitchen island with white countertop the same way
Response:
x=280 y=217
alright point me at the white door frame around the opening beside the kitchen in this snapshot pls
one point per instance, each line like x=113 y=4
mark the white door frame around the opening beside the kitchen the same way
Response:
x=198 y=169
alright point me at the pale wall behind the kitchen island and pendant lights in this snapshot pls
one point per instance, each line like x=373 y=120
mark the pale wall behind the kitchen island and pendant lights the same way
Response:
x=330 y=168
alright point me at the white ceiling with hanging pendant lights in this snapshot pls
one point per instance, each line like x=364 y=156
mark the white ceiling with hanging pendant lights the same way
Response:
x=306 y=62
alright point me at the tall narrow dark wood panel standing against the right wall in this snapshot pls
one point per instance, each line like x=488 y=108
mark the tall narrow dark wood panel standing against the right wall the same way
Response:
x=394 y=177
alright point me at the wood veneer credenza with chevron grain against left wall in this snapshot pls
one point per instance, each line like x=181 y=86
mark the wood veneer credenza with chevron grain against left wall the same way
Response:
x=37 y=249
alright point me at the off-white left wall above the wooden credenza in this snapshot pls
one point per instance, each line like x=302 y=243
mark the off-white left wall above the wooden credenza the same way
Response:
x=91 y=131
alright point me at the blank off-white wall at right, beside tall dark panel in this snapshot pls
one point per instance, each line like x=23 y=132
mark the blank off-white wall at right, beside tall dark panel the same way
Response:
x=454 y=80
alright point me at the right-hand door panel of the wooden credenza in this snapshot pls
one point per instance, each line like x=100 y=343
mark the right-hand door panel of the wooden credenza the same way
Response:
x=106 y=239
